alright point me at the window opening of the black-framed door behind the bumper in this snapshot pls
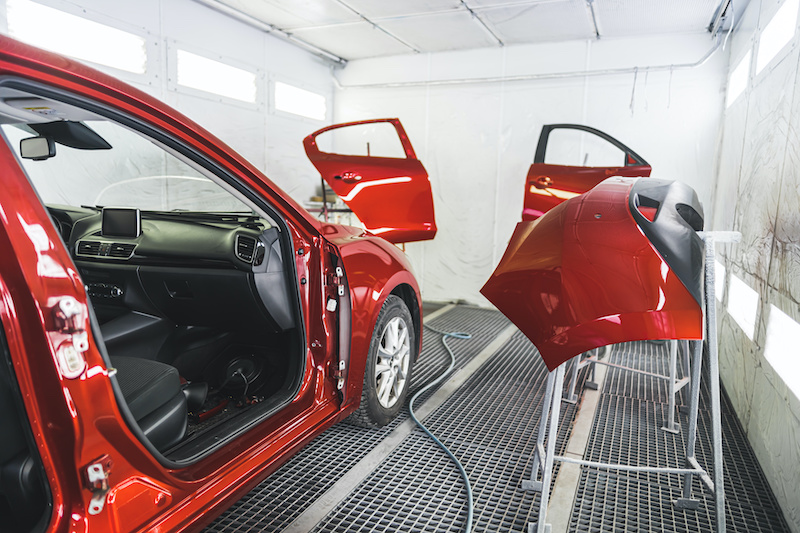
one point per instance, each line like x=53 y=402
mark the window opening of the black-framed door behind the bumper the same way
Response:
x=577 y=148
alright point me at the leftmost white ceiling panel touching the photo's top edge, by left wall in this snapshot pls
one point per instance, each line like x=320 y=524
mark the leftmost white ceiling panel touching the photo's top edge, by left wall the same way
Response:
x=294 y=14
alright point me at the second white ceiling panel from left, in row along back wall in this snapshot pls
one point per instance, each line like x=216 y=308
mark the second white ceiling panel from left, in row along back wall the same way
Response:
x=442 y=31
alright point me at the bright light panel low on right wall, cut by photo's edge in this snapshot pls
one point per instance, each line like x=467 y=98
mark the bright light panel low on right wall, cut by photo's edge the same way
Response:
x=781 y=348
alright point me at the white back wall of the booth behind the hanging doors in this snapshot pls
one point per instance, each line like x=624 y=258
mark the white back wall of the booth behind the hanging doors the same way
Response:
x=477 y=140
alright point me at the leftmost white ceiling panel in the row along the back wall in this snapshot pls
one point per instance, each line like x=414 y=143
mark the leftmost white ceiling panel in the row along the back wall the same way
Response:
x=353 y=41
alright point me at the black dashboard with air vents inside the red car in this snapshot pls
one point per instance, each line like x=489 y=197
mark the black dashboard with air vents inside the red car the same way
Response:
x=182 y=269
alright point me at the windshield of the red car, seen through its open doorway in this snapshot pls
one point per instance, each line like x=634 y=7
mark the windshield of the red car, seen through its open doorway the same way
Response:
x=134 y=172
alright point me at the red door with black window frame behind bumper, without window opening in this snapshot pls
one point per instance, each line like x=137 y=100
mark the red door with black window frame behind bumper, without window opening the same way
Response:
x=547 y=185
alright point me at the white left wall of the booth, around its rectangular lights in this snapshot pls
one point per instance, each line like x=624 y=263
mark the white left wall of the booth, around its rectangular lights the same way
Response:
x=270 y=139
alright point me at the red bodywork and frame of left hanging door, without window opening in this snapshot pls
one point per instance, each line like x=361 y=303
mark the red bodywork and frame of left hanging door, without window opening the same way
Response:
x=390 y=195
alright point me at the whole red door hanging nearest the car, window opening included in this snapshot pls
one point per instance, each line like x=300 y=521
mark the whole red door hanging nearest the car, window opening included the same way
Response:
x=375 y=171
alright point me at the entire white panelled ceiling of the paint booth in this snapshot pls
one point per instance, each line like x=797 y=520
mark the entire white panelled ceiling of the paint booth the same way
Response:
x=355 y=29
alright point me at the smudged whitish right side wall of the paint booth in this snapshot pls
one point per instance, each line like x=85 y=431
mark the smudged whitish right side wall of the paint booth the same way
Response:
x=758 y=194
